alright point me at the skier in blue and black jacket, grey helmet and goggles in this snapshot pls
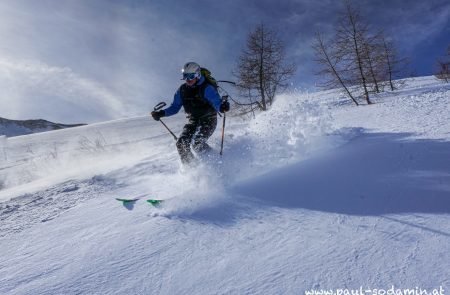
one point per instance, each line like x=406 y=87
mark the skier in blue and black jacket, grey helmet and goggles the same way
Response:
x=201 y=102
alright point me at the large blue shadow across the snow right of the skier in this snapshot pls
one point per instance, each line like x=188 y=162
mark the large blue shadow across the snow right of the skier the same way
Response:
x=374 y=174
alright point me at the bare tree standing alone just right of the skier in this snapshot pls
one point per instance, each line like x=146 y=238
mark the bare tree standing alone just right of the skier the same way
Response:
x=261 y=68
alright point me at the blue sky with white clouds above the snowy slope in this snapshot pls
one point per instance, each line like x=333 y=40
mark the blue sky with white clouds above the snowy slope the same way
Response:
x=92 y=60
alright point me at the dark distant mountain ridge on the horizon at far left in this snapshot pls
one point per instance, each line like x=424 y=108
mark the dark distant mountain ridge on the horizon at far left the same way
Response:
x=18 y=127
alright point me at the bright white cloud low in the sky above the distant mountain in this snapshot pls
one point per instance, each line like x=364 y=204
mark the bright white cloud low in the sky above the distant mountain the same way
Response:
x=32 y=89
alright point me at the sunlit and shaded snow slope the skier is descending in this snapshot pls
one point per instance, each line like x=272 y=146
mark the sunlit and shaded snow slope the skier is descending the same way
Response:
x=316 y=194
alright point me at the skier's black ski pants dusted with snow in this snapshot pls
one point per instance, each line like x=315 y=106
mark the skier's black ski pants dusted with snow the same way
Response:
x=196 y=132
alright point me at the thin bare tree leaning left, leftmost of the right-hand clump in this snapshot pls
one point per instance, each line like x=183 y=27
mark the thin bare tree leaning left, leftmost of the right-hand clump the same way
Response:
x=330 y=67
